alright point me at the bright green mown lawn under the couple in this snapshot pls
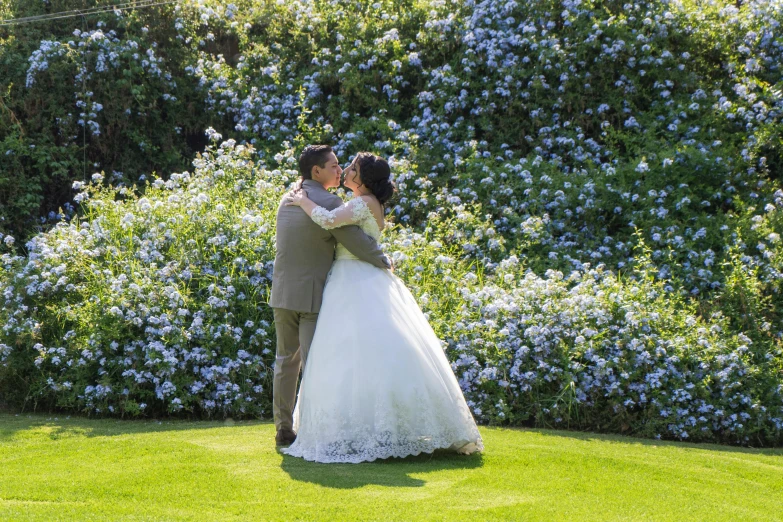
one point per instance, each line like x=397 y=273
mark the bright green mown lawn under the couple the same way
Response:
x=53 y=468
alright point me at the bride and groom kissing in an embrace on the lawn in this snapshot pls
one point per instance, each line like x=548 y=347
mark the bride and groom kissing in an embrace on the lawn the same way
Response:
x=375 y=380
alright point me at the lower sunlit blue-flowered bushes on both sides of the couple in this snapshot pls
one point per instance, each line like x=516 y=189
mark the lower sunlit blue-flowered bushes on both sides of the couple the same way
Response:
x=157 y=304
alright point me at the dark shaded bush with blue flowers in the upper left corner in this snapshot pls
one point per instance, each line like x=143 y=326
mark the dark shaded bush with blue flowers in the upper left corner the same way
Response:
x=80 y=95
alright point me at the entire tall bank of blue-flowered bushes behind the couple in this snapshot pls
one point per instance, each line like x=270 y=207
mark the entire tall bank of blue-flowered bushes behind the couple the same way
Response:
x=589 y=209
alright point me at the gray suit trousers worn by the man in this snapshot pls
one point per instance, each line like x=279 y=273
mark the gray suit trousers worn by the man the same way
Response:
x=295 y=332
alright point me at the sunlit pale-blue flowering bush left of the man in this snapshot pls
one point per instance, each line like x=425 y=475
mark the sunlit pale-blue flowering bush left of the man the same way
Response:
x=154 y=302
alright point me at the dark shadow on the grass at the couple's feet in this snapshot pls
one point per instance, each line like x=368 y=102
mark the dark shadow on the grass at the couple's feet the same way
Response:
x=392 y=472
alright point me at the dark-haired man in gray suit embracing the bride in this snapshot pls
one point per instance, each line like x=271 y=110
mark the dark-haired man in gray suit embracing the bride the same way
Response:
x=305 y=252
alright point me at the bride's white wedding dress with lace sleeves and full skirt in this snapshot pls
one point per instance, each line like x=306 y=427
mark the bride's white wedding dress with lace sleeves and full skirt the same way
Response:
x=376 y=383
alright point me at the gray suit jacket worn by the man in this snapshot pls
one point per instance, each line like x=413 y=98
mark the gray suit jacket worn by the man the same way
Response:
x=305 y=252
